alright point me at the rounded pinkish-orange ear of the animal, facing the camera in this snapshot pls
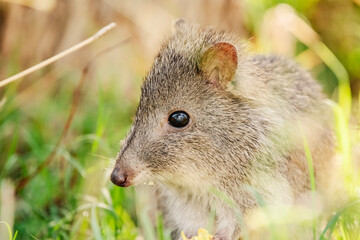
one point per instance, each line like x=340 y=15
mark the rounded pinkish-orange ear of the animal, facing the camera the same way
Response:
x=219 y=64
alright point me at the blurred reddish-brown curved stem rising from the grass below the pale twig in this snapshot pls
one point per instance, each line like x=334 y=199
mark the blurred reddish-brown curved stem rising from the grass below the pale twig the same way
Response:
x=74 y=104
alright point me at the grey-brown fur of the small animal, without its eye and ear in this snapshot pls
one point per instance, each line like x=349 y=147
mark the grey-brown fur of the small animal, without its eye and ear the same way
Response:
x=243 y=139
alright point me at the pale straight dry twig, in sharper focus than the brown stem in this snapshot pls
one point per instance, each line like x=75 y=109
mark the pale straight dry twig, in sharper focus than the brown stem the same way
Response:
x=52 y=59
